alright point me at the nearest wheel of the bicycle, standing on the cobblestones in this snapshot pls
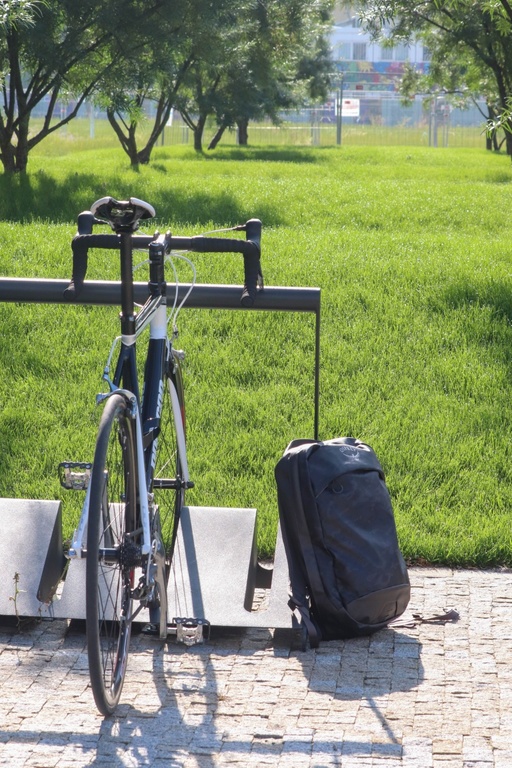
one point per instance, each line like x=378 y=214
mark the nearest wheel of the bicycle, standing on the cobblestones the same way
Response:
x=112 y=554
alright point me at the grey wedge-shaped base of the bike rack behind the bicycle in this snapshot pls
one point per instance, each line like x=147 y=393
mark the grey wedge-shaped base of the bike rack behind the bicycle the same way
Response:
x=214 y=571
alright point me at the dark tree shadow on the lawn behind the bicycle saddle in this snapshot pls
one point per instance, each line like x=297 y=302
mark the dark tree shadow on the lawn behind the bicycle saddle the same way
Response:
x=39 y=196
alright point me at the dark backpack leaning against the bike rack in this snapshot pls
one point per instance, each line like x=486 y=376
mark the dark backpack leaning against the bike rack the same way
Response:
x=347 y=574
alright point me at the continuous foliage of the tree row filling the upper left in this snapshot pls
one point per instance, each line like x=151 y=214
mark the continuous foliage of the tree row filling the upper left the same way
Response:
x=234 y=59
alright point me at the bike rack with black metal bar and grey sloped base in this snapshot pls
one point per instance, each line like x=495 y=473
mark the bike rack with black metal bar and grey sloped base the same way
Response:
x=215 y=570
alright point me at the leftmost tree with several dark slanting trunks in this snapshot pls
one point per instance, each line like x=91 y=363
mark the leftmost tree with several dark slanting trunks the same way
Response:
x=62 y=50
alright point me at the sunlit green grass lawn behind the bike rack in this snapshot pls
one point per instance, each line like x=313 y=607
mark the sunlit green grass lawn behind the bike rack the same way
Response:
x=411 y=248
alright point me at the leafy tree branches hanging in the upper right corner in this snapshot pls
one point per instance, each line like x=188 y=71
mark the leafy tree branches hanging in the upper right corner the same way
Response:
x=482 y=29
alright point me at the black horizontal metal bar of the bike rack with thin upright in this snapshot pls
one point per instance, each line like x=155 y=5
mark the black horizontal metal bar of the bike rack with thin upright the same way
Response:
x=103 y=292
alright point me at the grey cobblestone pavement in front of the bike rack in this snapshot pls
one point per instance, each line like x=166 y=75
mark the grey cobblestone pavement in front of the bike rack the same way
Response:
x=426 y=696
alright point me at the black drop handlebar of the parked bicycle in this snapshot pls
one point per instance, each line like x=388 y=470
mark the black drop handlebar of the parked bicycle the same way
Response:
x=250 y=248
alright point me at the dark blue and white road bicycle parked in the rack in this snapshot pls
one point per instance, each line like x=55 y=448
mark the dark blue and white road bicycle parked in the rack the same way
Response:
x=136 y=484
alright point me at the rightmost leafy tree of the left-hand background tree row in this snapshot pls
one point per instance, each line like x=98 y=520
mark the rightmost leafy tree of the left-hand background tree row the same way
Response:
x=262 y=58
